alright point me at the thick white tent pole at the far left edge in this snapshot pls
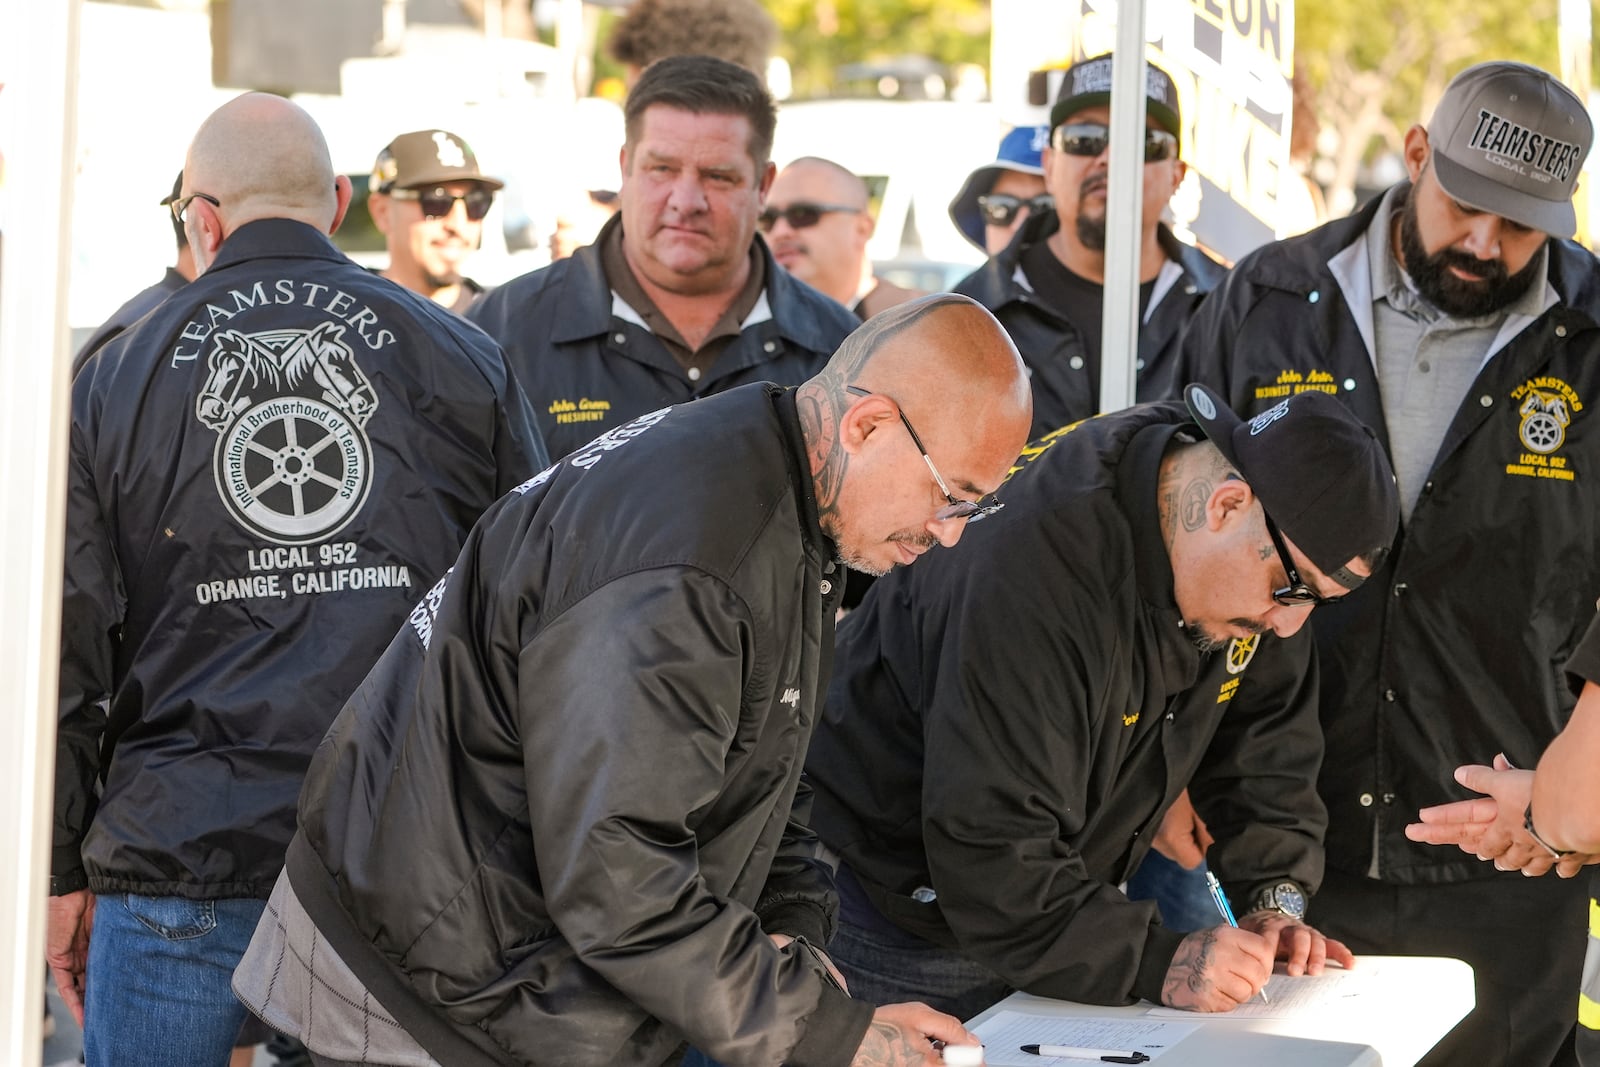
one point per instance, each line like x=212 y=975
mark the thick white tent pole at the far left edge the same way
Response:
x=41 y=68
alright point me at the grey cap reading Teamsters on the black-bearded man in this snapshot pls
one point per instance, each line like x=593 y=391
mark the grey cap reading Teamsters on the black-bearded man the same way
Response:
x=1511 y=140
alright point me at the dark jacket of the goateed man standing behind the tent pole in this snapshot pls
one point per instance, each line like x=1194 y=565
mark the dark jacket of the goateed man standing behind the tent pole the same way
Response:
x=1054 y=348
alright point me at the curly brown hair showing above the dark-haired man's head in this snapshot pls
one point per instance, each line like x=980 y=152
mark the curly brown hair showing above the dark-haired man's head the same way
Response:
x=738 y=31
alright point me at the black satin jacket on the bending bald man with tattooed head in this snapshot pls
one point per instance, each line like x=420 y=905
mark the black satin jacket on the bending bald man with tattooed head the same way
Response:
x=604 y=714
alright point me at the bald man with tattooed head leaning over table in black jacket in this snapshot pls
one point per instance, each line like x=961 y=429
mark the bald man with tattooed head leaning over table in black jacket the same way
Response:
x=562 y=821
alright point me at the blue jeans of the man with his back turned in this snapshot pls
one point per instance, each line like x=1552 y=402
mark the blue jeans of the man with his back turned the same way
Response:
x=158 y=988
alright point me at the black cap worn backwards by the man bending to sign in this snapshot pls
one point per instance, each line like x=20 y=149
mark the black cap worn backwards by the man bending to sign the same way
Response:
x=1319 y=471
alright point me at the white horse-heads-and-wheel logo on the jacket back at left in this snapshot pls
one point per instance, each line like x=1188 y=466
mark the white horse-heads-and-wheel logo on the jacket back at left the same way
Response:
x=294 y=466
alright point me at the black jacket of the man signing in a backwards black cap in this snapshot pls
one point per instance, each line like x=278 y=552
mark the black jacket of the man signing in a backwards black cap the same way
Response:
x=1014 y=741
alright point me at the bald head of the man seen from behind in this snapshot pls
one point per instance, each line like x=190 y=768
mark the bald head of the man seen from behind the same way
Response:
x=263 y=158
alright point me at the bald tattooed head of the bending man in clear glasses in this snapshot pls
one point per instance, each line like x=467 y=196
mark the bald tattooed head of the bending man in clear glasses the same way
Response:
x=943 y=366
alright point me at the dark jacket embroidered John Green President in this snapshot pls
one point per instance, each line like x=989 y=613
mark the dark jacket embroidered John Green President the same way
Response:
x=590 y=370
